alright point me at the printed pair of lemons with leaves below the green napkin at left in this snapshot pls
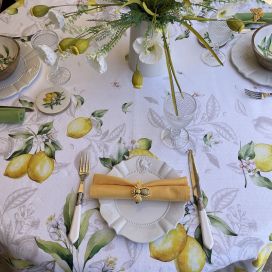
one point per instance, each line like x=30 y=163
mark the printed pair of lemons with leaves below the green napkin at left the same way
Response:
x=38 y=164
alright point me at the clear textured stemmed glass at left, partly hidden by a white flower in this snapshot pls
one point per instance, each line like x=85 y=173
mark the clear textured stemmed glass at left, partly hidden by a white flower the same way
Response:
x=58 y=75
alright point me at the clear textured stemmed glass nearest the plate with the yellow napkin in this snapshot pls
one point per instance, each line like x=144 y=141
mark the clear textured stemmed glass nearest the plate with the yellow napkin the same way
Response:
x=177 y=136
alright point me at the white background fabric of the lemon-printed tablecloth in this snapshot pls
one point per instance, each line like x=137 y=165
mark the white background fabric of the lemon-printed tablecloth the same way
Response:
x=225 y=120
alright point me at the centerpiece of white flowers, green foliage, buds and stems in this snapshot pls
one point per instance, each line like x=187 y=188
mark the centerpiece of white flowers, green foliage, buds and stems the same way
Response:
x=106 y=29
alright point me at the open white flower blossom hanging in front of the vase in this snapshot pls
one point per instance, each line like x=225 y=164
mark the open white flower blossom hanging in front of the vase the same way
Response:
x=150 y=50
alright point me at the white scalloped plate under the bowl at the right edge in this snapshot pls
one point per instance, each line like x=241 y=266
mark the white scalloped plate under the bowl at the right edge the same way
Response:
x=243 y=58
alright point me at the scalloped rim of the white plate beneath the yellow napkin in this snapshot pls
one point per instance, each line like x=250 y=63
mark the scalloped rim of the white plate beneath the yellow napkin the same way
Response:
x=163 y=223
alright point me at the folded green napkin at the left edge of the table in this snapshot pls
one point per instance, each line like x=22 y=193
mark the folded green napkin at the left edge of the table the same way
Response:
x=12 y=115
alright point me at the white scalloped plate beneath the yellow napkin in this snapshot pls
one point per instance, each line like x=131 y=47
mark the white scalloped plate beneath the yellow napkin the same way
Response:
x=148 y=220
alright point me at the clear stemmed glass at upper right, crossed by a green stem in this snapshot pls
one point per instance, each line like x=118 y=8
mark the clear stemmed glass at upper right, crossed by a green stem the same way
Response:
x=219 y=34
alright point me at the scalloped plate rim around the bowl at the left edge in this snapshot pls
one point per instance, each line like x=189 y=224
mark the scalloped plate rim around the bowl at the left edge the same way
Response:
x=30 y=57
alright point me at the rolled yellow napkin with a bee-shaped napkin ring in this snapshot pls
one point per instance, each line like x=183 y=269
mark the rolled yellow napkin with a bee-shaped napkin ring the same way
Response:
x=110 y=187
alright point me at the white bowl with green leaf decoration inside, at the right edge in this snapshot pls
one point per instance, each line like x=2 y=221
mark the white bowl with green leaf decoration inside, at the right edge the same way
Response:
x=262 y=46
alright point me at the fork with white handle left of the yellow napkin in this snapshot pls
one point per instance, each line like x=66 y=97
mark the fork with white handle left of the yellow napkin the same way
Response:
x=83 y=171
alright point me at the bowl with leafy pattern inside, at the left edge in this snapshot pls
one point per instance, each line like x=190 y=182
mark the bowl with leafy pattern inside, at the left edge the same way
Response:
x=13 y=49
